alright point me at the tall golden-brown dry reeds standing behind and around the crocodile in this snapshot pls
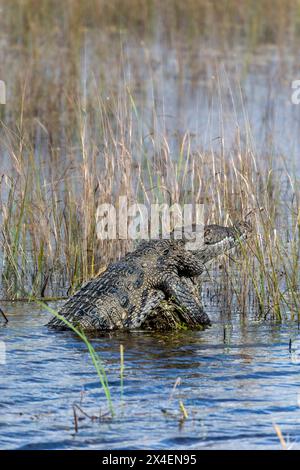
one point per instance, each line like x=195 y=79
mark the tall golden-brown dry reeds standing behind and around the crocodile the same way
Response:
x=67 y=147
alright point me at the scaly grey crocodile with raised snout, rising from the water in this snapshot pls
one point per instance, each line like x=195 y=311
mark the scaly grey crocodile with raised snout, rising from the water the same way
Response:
x=132 y=289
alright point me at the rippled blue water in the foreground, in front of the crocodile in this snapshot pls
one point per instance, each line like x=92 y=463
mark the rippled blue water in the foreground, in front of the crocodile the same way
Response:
x=237 y=379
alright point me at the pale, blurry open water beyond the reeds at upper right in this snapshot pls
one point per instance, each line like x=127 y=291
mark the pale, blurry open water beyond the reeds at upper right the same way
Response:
x=209 y=94
